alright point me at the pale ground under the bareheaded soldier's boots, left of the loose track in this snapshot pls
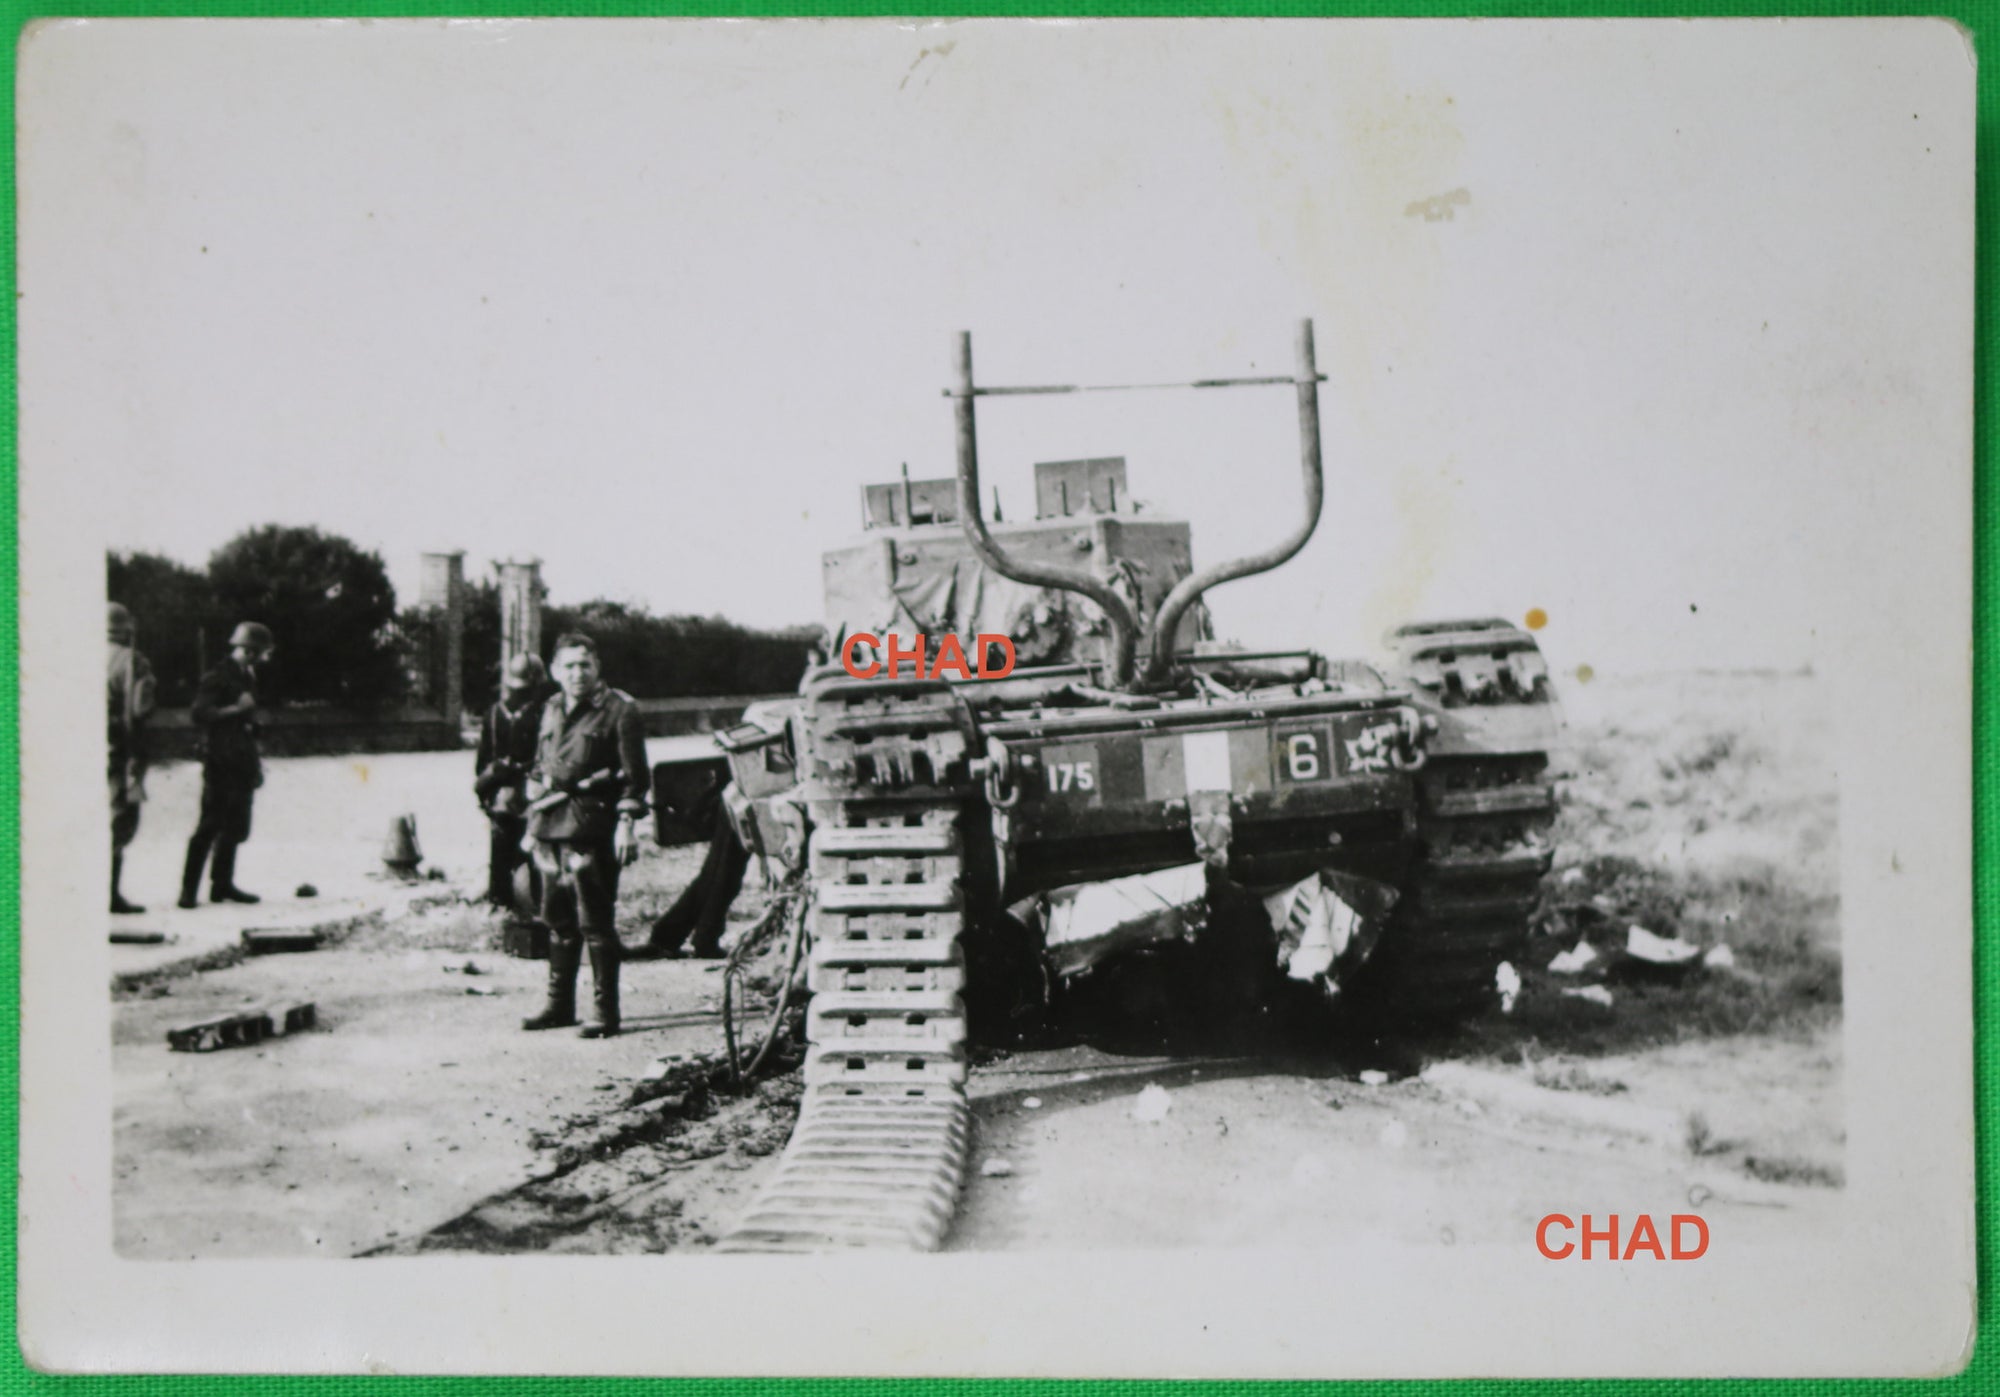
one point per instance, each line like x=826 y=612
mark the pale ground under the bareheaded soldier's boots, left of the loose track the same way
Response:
x=413 y=1100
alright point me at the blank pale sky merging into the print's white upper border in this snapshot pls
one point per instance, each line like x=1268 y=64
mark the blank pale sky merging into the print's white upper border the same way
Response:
x=1637 y=325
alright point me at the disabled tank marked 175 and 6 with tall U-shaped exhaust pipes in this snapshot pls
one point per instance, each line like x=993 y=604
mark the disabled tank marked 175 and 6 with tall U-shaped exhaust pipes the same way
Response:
x=1013 y=714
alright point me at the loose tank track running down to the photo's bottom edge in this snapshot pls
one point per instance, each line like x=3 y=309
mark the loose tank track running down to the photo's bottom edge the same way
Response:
x=883 y=1134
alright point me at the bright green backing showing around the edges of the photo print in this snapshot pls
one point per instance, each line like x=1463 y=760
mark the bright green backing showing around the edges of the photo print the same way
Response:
x=1985 y=1372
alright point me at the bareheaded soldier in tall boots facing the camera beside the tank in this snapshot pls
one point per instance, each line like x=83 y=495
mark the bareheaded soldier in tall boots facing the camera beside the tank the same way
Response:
x=587 y=794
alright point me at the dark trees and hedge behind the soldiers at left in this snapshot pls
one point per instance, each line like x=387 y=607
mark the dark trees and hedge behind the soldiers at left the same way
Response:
x=343 y=641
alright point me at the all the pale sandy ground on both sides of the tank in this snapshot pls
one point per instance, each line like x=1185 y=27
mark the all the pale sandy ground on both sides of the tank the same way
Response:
x=419 y=1118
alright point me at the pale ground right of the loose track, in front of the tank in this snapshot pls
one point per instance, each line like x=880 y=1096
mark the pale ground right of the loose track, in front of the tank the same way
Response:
x=1305 y=1156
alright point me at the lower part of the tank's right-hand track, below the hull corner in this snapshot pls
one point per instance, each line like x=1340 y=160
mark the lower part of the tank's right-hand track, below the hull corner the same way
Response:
x=1467 y=902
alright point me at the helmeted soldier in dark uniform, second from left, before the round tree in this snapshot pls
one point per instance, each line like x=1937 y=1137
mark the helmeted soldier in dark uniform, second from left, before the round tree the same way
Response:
x=225 y=710
